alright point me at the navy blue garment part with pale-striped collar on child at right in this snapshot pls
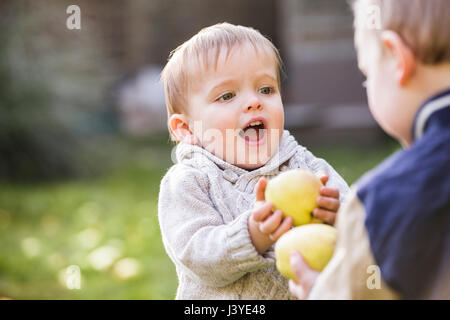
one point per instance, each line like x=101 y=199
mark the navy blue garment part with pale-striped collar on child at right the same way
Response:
x=407 y=202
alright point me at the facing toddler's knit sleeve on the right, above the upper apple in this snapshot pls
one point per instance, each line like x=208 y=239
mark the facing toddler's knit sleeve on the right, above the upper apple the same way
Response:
x=317 y=165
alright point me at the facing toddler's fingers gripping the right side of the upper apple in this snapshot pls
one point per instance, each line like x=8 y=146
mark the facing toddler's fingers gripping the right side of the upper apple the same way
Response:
x=328 y=202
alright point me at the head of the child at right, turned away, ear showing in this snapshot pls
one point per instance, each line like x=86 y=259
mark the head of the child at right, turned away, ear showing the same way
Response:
x=404 y=51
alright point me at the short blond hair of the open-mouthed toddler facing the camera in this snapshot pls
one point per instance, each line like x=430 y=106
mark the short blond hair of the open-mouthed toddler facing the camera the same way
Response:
x=199 y=51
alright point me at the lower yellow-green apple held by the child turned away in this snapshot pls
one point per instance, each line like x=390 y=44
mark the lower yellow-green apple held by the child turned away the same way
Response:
x=314 y=241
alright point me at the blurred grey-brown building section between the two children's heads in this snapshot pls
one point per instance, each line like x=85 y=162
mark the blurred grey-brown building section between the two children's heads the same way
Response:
x=324 y=94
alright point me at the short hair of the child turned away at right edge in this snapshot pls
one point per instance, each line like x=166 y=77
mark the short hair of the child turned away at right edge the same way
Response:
x=424 y=25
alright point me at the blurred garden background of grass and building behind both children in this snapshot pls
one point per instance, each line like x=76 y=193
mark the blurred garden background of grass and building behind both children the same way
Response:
x=83 y=141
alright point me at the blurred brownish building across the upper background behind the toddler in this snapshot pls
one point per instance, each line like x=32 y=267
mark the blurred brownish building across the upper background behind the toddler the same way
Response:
x=322 y=93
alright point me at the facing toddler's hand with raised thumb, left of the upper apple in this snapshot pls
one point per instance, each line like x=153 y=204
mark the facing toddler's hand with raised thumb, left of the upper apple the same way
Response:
x=265 y=226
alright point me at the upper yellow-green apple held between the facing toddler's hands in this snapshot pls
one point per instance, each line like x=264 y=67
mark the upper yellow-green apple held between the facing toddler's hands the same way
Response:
x=295 y=192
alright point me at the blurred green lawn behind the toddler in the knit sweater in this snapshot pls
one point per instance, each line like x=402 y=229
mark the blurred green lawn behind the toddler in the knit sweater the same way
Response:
x=44 y=228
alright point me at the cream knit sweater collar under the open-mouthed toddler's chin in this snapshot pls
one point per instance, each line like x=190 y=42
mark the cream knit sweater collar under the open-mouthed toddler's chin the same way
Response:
x=285 y=151
